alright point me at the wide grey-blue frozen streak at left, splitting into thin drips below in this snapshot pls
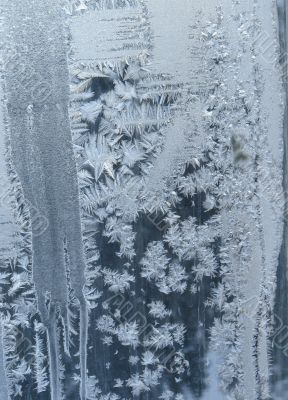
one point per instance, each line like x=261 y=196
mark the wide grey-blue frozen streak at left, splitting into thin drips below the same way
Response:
x=37 y=90
